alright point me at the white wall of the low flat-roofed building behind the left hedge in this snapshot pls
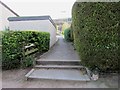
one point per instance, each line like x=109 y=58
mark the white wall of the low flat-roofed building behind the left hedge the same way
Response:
x=41 y=25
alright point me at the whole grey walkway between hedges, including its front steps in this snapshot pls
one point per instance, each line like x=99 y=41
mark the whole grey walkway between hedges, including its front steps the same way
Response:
x=61 y=62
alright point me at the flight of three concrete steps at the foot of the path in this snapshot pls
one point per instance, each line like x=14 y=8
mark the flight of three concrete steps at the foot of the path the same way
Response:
x=59 y=70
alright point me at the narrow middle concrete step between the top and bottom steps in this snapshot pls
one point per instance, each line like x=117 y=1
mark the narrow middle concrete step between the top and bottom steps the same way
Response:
x=60 y=66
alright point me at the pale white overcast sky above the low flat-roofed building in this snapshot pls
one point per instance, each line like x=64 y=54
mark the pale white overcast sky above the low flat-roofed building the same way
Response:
x=55 y=8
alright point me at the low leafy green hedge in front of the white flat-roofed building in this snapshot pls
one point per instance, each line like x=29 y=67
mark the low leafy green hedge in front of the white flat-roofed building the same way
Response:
x=13 y=42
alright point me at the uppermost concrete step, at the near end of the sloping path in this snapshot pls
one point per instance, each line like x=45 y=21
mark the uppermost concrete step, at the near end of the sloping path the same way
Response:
x=59 y=62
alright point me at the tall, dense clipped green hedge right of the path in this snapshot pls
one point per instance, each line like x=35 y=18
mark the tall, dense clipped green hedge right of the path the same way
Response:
x=95 y=28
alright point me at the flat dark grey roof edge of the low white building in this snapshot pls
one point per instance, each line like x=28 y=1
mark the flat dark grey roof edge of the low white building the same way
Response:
x=29 y=18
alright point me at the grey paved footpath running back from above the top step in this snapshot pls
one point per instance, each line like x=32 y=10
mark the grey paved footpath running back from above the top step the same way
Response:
x=62 y=50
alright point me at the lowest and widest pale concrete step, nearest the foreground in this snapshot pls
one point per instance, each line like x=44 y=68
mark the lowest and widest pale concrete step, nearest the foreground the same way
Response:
x=57 y=74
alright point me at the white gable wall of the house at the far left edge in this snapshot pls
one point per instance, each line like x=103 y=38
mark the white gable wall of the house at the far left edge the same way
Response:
x=4 y=14
